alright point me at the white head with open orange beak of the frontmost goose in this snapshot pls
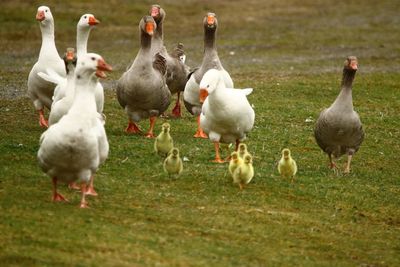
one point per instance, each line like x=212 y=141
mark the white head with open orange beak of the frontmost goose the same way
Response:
x=90 y=64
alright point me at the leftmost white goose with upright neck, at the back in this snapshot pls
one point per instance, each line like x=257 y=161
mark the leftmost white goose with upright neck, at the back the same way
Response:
x=41 y=91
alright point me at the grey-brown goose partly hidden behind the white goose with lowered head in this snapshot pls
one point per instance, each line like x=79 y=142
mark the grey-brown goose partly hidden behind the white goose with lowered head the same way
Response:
x=210 y=61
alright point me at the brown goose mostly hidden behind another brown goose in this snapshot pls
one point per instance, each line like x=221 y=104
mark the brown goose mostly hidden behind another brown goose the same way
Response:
x=177 y=71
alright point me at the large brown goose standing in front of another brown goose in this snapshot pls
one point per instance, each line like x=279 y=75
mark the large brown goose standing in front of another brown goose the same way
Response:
x=142 y=90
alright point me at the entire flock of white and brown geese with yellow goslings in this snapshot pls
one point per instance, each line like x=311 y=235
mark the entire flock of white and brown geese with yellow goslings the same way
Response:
x=75 y=142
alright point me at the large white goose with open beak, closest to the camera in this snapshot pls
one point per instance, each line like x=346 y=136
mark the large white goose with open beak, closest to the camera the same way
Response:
x=72 y=149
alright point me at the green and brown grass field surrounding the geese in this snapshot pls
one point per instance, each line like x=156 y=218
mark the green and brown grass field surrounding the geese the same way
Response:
x=291 y=52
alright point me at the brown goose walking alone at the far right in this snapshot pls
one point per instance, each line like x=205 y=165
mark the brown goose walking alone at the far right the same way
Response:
x=338 y=129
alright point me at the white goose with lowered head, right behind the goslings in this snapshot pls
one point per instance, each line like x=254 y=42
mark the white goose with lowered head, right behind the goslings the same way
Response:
x=226 y=114
